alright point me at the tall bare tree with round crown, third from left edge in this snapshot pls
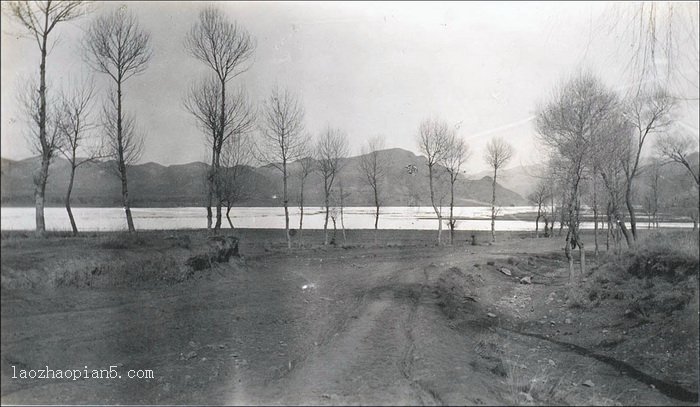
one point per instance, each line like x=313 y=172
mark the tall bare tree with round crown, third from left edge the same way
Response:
x=116 y=45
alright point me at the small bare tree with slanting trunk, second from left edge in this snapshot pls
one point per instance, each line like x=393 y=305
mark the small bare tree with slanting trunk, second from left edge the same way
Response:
x=74 y=128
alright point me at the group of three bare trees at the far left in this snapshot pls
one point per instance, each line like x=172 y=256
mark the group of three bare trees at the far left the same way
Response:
x=114 y=45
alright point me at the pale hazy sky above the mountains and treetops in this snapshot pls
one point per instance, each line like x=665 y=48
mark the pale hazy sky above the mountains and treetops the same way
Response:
x=366 y=68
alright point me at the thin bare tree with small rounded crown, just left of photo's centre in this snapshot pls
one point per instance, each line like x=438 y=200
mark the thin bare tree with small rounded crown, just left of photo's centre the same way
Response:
x=331 y=148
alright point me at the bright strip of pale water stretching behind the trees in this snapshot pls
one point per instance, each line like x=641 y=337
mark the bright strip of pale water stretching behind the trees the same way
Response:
x=111 y=219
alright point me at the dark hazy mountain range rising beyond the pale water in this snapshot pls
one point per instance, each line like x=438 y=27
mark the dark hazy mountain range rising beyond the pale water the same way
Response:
x=155 y=185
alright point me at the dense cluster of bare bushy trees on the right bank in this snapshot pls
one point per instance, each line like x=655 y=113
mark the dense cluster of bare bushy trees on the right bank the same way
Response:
x=597 y=136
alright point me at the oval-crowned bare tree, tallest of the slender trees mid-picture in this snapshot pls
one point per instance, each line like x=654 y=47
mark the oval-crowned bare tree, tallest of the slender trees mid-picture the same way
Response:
x=282 y=139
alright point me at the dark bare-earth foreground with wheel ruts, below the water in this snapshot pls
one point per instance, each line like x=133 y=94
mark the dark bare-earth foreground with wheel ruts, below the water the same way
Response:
x=395 y=322
